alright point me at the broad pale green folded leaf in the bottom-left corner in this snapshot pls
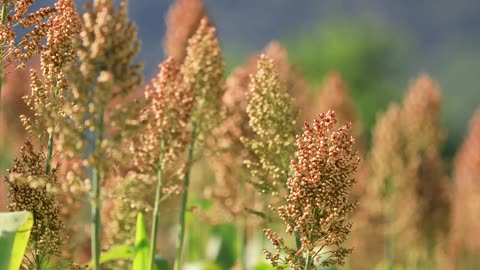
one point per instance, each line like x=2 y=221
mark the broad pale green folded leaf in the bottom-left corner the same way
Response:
x=15 y=231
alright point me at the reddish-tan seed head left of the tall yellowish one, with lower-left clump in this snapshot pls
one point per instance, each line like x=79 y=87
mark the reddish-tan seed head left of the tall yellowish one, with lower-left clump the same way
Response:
x=164 y=135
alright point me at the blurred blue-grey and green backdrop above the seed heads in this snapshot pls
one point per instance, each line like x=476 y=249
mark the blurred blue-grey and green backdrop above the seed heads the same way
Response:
x=377 y=46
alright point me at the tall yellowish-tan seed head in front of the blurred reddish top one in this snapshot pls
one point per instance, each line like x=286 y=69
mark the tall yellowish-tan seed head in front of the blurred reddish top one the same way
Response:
x=203 y=71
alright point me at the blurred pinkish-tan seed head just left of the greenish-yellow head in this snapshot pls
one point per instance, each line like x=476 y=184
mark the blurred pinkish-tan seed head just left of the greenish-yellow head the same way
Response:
x=231 y=194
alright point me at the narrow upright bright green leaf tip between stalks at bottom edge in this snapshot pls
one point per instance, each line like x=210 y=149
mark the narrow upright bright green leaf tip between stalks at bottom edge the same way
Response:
x=142 y=247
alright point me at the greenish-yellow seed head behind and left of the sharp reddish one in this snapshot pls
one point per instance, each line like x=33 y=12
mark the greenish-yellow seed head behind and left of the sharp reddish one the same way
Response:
x=272 y=118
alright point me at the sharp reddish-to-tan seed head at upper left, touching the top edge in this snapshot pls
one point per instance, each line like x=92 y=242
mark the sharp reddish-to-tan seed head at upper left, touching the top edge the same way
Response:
x=46 y=99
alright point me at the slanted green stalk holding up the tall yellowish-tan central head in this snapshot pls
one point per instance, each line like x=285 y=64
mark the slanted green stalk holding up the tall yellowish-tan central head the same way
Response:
x=186 y=184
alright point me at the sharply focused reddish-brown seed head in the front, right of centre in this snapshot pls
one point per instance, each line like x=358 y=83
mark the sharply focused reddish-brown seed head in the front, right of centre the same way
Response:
x=317 y=204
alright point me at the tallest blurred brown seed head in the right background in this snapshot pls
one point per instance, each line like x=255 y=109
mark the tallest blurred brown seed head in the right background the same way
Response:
x=423 y=140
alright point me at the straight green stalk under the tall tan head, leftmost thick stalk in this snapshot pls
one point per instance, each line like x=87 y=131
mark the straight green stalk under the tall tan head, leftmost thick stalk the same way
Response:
x=95 y=199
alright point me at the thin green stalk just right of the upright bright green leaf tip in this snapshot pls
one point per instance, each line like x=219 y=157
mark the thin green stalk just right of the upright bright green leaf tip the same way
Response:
x=158 y=196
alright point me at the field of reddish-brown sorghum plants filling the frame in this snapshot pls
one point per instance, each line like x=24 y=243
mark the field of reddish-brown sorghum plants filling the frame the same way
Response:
x=256 y=164
